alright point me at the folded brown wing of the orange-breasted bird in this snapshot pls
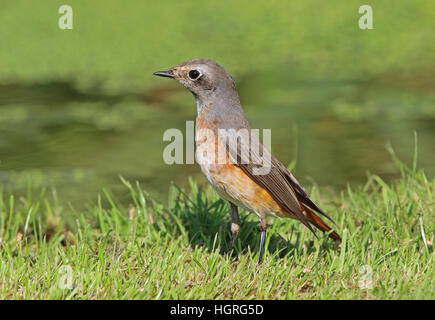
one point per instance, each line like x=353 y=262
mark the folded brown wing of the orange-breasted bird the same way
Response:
x=264 y=169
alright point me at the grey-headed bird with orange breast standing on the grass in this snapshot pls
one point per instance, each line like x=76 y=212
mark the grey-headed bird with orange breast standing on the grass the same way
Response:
x=238 y=179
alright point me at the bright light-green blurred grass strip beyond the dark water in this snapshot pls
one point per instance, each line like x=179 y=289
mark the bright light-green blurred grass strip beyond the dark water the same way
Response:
x=117 y=46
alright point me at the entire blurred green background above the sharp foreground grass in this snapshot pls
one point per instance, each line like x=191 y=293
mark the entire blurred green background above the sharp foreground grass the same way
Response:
x=80 y=107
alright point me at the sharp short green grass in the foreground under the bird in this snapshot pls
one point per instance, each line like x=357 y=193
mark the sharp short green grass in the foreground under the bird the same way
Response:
x=152 y=251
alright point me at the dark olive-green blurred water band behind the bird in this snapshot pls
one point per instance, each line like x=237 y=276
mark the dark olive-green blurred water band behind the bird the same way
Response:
x=53 y=135
